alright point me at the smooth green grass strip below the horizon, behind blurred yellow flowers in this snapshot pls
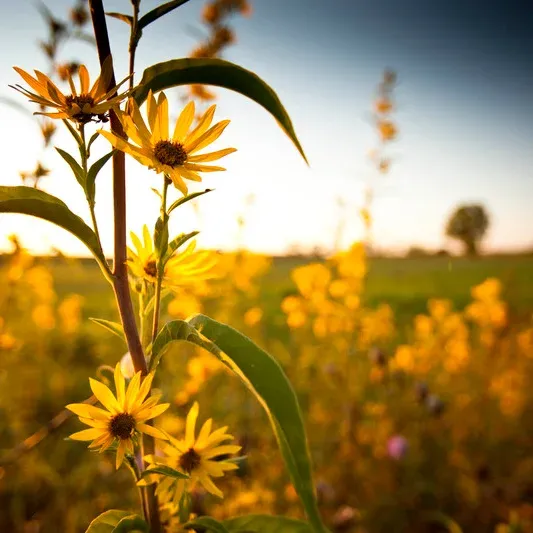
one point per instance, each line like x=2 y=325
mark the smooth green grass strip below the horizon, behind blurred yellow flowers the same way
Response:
x=405 y=284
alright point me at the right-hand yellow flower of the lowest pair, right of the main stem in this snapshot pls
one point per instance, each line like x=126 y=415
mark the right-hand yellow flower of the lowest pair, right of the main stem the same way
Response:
x=200 y=457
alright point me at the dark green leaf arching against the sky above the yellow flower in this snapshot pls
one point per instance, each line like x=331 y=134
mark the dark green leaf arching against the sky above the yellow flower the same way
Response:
x=221 y=74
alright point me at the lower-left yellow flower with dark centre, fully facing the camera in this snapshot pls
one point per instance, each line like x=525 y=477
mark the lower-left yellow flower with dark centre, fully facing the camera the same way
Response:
x=124 y=417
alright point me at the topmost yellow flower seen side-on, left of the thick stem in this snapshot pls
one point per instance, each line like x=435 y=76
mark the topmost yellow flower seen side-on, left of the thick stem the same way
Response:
x=91 y=103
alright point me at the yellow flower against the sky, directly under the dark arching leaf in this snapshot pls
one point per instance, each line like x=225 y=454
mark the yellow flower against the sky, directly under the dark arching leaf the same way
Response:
x=174 y=155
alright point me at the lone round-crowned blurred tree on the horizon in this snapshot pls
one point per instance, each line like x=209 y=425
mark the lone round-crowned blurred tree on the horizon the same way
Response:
x=468 y=224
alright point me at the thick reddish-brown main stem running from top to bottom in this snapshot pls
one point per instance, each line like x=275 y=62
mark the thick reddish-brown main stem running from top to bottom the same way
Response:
x=120 y=273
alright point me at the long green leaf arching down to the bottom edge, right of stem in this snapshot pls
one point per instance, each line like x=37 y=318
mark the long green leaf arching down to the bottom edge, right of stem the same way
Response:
x=263 y=375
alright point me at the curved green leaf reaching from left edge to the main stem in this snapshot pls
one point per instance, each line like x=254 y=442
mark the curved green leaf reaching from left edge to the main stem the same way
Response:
x=37 y=203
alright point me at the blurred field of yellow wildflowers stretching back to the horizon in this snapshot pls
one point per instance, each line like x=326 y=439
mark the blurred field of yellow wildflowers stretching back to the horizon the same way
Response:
x=413 y=377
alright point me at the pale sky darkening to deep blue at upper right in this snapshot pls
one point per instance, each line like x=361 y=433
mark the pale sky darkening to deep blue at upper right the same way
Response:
x=465 y=114
